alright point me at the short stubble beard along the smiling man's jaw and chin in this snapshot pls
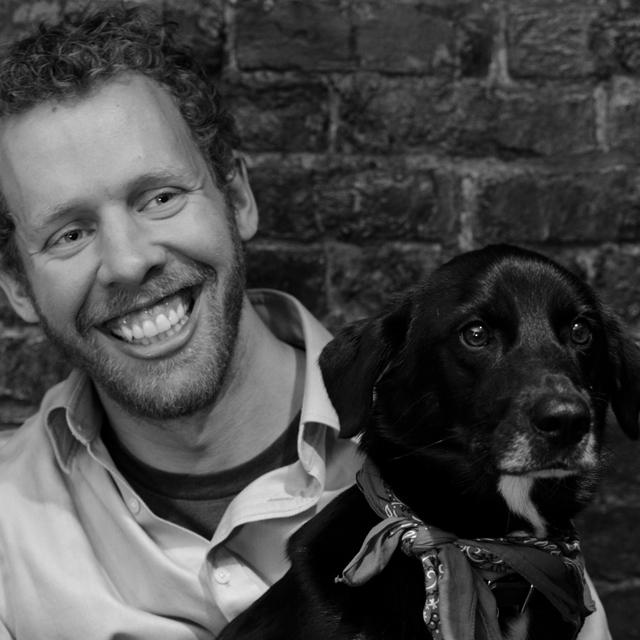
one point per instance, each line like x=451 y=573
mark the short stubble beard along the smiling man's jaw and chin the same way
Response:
x=151 y=392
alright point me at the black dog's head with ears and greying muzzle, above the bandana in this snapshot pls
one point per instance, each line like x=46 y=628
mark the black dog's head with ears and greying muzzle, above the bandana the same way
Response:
x=490 y=381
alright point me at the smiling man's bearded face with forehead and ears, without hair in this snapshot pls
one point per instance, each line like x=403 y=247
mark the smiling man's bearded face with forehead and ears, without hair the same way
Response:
x=131 y=252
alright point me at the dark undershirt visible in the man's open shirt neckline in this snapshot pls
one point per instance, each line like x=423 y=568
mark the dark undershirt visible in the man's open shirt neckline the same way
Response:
x=198 y=501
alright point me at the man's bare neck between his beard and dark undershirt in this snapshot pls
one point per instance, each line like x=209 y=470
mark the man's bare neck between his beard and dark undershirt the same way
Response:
x=261 y=394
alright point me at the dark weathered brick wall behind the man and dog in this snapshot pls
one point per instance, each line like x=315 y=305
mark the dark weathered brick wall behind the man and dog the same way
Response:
x=385 y=136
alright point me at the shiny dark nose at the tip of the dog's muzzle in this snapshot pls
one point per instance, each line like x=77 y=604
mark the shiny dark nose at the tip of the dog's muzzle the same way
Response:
x=565 y=417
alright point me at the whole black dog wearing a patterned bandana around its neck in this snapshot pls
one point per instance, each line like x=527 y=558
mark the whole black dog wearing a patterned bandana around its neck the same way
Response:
x=481 y=400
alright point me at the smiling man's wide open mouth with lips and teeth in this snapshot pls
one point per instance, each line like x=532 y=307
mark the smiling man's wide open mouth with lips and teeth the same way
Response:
x=156 y=322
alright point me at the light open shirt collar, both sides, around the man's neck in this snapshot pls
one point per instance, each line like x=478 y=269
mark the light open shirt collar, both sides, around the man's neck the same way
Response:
x=73 y=413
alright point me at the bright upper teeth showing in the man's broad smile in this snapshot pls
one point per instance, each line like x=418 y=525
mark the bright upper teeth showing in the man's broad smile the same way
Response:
x=160 y=320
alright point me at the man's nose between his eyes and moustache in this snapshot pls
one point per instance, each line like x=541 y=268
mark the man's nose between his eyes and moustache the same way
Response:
x=128 y=250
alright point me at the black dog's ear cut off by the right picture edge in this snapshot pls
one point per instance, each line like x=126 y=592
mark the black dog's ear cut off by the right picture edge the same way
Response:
x=625 y=392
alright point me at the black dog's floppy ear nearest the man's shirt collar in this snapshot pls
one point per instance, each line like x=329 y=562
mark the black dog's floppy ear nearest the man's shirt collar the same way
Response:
x=354 y=360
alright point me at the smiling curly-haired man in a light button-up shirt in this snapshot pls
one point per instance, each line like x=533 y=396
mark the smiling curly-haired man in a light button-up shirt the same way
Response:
x=152 y=494
